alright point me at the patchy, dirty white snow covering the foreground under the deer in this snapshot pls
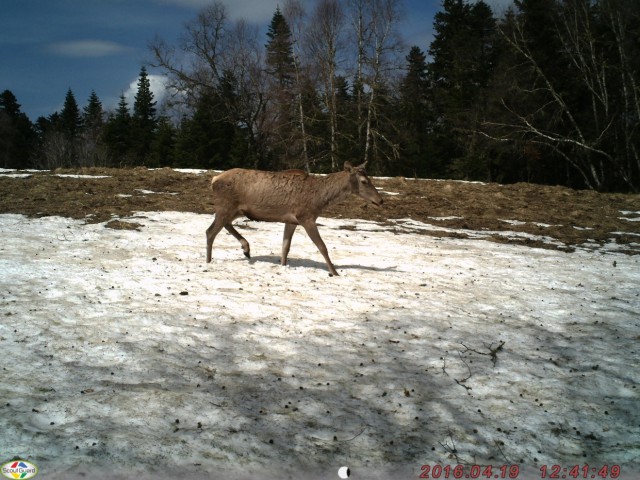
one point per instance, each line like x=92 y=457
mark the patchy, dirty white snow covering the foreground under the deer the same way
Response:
x=123 y=355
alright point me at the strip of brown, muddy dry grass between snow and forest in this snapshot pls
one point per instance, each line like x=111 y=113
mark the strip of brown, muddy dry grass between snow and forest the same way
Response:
x=571 y=217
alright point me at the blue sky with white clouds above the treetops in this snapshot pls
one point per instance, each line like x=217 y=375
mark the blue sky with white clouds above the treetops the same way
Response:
x=47 y=47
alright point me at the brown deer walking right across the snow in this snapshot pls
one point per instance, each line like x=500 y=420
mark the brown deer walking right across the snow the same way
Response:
x=292 y=197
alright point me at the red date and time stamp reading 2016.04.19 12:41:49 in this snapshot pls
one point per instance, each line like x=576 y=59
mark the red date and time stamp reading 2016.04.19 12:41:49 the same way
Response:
x=513 y=472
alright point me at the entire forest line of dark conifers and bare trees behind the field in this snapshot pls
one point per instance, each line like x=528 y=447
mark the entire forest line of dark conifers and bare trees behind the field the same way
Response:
x=547 y=92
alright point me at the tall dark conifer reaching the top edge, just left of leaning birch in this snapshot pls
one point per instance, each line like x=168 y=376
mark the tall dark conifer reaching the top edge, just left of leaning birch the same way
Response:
x=461 y=71
